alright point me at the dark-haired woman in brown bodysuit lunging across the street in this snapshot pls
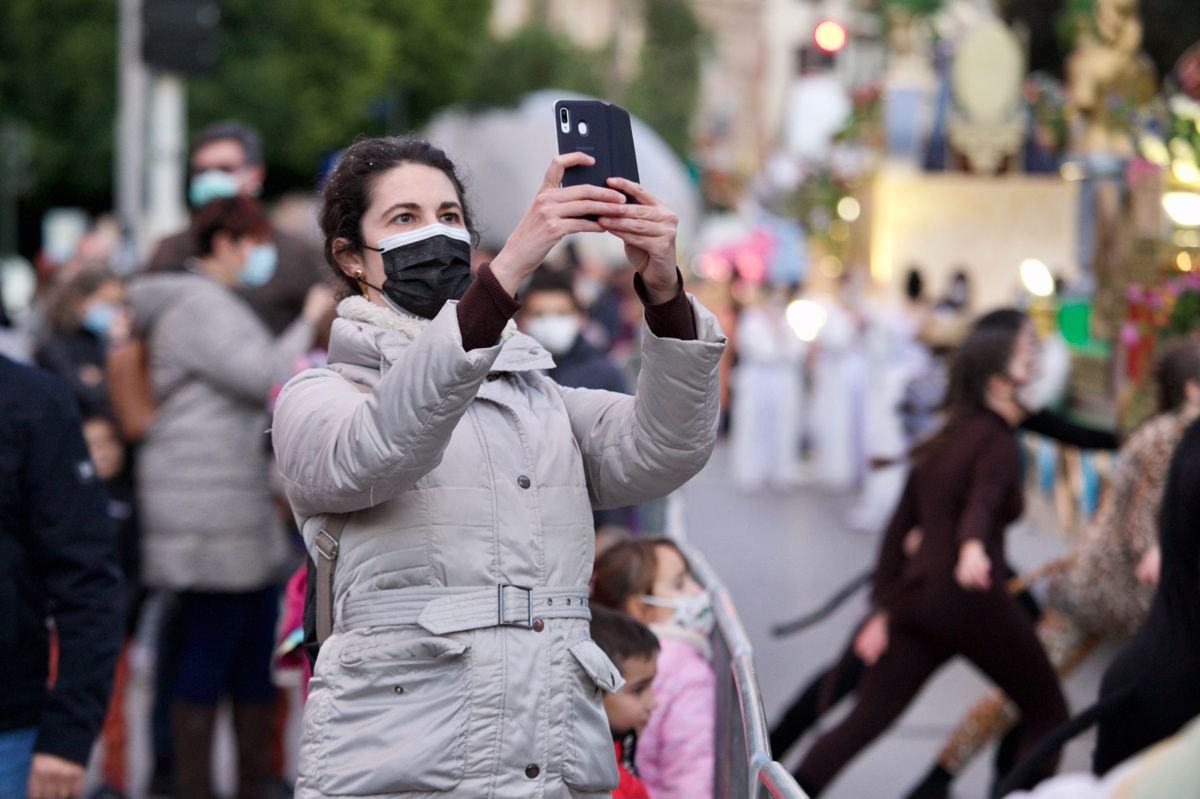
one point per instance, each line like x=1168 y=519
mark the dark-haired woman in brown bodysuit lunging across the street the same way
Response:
x=950 y=597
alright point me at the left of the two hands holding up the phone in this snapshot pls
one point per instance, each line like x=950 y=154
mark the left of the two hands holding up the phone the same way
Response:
x=555 y=213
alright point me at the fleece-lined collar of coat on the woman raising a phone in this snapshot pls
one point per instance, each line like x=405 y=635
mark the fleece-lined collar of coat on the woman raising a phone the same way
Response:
x=368 y=339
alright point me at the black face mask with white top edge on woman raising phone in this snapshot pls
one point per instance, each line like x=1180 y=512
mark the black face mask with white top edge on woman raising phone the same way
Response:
x=425 y=268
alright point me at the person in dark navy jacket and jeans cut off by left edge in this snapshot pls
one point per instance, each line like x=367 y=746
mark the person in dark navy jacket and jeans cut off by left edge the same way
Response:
x=58 y=563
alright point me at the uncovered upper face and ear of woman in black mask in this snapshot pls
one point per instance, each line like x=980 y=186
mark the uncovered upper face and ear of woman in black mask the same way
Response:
x=405 y=199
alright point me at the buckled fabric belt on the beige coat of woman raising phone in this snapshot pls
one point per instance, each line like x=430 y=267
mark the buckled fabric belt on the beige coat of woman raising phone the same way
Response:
x=442 y=611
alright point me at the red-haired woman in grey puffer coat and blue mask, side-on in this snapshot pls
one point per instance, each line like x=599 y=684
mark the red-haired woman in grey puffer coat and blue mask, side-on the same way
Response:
x=212 y=532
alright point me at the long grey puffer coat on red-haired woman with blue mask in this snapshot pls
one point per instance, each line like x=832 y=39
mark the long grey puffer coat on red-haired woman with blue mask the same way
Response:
x=209 y=519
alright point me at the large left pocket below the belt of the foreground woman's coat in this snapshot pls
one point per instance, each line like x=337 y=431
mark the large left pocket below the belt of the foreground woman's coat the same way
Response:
x=395 y=719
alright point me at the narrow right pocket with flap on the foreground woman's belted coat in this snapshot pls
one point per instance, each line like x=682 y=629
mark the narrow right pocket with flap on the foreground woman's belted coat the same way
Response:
x=591 y=764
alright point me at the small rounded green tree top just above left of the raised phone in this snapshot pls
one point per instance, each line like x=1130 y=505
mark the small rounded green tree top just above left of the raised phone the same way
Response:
x=533 y=58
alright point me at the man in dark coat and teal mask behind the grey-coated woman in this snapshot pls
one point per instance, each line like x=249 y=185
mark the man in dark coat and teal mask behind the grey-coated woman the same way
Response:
x=227 y=161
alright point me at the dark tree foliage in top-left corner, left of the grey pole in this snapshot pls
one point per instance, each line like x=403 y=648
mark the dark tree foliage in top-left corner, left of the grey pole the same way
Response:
x=58 y=75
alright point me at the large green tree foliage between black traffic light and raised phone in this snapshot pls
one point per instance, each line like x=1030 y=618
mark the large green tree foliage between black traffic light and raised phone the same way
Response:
x=314 y=75
